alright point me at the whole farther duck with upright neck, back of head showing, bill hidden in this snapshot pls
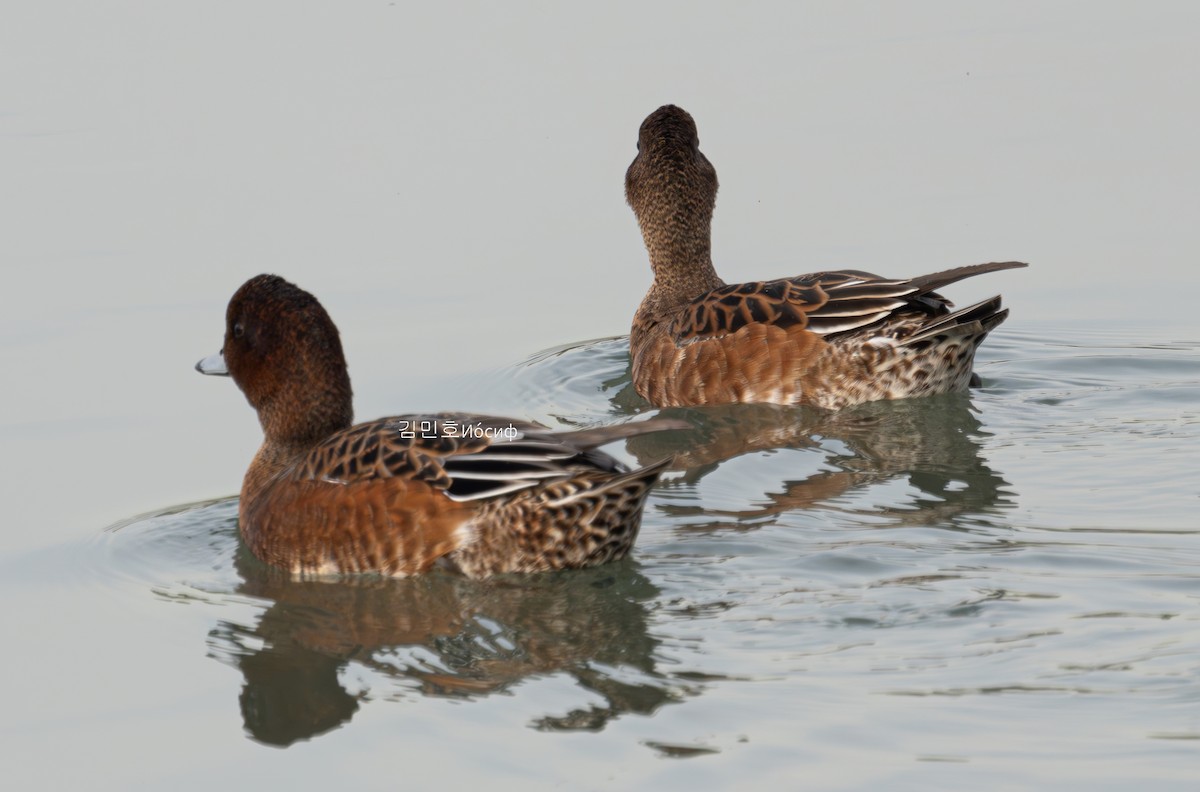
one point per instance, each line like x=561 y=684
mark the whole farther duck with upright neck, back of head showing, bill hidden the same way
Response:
x=827 y=340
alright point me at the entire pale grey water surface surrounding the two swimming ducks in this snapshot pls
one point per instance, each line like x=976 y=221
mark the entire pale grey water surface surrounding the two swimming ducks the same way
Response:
x=997 y=591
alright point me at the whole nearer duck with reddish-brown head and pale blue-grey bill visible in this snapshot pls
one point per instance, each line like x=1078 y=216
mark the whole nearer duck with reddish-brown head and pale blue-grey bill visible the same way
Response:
x=398 y=496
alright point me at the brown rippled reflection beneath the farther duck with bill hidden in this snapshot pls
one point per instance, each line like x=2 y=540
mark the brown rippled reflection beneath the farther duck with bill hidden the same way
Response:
x=933 y=443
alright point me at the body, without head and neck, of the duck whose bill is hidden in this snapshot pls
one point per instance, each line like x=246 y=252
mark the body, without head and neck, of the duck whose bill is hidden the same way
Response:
x=829 y=340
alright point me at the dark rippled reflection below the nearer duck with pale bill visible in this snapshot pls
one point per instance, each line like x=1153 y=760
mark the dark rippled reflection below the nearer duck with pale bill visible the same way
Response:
x=445 y=637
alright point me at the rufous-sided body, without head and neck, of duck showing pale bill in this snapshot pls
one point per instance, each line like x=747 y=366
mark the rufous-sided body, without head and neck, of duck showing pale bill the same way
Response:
x=403 y=495
